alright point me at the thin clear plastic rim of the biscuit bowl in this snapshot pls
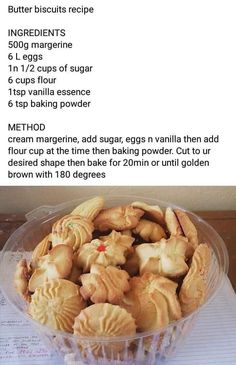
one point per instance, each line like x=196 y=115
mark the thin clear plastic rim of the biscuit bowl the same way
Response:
x=60 y=207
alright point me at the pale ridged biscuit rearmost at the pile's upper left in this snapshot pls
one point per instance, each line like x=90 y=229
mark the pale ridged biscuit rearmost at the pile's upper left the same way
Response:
x=90 y=208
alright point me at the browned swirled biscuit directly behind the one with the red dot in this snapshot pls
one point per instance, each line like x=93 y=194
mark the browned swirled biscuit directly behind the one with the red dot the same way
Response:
x=118 y=218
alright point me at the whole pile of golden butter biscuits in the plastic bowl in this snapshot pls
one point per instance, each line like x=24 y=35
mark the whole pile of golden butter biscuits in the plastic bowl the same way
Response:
x=115 y=271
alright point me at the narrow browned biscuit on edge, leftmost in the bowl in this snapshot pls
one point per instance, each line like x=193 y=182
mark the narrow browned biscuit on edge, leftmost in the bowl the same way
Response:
x=21 y=279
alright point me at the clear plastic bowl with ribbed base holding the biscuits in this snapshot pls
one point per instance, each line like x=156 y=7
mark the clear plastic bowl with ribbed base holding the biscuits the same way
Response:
x=142 y=348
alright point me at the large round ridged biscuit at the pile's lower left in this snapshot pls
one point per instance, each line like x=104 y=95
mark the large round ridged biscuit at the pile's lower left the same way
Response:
x=56 y=304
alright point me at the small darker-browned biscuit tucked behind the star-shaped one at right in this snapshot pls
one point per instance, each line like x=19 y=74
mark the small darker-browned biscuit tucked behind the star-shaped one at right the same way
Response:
x=149 y=231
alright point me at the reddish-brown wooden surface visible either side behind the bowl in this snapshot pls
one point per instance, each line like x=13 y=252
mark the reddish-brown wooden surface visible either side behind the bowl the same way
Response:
x=224 y=223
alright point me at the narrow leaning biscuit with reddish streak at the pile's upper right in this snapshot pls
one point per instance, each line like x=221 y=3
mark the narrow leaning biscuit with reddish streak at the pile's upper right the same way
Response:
x=188 y=227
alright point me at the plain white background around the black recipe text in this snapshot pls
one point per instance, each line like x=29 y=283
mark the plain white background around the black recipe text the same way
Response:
x=160 y=68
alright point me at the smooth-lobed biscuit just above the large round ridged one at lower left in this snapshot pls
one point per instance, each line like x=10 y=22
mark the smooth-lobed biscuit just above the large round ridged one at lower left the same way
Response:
x=55 y=265
